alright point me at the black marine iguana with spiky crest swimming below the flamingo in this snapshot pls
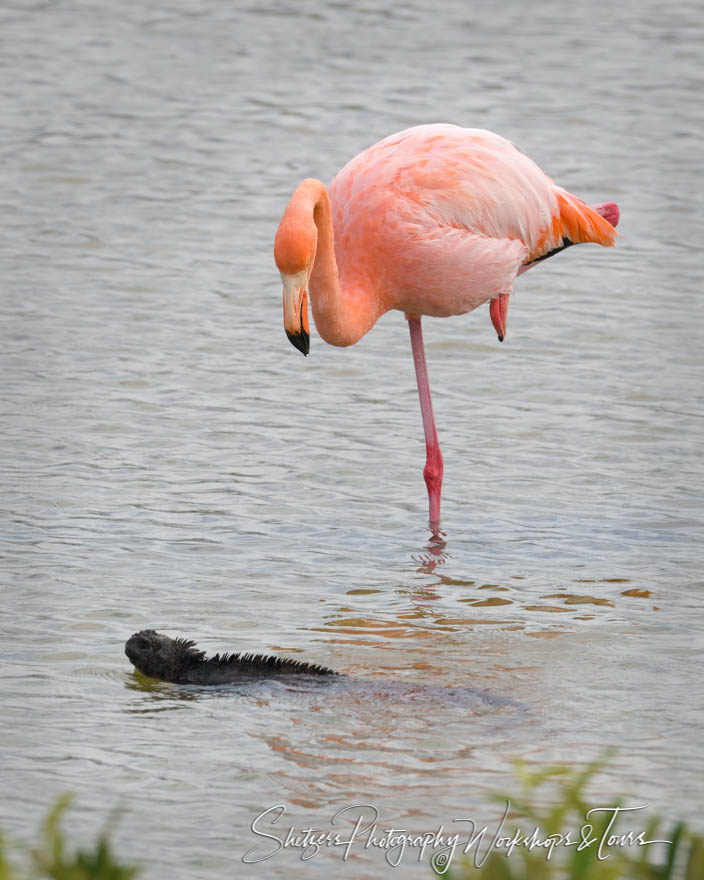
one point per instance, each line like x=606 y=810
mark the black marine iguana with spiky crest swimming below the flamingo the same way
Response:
x=179 y=661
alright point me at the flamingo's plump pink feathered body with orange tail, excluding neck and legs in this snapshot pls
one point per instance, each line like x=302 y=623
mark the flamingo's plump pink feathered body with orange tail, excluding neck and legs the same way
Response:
x=442 y=206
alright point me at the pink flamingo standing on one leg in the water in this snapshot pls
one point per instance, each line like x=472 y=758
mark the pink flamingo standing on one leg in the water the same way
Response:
x=434 y=220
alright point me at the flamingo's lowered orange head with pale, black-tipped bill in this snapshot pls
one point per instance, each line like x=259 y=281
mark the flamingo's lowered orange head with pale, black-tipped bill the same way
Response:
x=294 y=253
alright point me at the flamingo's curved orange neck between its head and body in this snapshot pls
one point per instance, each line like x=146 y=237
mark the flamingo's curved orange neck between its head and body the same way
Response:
x=342 y=316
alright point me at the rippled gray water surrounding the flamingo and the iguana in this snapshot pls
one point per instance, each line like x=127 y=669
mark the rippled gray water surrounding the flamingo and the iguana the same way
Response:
x=170 y=461
